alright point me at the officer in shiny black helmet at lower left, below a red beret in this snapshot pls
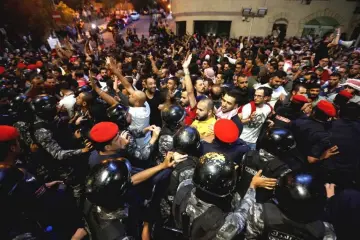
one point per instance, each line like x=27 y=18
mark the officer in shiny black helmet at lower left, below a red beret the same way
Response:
x=108 y=210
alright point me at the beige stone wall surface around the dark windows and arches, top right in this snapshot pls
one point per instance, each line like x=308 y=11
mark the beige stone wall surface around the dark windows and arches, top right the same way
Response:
x=295 y=14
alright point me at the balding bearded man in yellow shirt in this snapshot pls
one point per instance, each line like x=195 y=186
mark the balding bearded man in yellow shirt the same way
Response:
x=205 y=119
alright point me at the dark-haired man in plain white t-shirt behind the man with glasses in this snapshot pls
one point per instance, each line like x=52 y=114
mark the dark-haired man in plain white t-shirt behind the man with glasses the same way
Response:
x=275 y=83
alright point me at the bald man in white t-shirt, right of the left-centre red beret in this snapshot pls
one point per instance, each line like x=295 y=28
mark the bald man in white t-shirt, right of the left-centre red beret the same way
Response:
x=140 y=115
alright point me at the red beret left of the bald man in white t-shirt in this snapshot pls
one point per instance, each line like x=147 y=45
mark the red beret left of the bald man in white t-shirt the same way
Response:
x=104 y=132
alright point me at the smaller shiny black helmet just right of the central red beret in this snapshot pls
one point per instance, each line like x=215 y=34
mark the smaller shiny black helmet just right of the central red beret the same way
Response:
x=278 y=140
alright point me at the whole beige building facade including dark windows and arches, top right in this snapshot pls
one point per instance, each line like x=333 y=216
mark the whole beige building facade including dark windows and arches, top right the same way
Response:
x=295 y=17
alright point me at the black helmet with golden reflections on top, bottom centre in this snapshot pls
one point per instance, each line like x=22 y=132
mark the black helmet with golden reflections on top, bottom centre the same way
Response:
x=214 y=174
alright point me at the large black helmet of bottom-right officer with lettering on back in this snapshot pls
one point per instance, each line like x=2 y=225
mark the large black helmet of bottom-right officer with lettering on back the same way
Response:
x=300 y=196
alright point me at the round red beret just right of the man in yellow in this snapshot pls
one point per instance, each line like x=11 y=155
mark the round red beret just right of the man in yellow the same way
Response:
x=226 y=130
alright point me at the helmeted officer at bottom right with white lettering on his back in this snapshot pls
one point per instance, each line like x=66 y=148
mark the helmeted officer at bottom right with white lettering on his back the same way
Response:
x=295 y=212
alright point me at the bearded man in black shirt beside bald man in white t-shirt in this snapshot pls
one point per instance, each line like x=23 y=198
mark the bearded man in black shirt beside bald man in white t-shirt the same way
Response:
x=153 y=97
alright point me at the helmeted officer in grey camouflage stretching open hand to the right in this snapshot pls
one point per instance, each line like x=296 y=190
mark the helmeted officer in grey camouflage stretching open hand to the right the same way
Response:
x=207 y=207
